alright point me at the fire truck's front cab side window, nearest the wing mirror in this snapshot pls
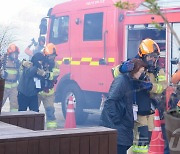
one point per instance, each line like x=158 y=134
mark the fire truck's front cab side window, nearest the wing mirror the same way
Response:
x=59 y=32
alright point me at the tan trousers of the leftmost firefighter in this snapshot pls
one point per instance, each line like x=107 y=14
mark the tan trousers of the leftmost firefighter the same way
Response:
x=11 y=93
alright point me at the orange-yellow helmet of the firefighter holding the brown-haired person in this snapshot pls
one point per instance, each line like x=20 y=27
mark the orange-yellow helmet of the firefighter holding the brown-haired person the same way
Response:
x=148 y=46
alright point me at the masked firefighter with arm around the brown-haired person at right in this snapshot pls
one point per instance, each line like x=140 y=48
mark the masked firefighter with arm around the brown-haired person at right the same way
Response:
x=146 y=101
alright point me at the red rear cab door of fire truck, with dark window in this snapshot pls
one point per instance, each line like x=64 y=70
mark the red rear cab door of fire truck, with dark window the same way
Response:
x=93 y=50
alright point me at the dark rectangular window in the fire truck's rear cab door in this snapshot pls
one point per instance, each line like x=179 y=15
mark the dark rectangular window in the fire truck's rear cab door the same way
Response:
x=93 y=25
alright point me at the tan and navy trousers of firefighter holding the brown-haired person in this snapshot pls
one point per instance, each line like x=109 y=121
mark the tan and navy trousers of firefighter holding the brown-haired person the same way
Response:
x=143 y=131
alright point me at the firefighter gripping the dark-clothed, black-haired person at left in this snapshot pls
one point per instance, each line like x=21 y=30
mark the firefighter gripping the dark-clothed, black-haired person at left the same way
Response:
x=47 y=95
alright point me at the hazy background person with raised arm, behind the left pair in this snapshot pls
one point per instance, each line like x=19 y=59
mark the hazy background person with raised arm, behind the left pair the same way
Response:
x=38 y=46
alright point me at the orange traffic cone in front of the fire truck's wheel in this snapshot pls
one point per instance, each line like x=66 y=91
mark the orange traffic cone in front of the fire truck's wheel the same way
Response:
x=70 y=115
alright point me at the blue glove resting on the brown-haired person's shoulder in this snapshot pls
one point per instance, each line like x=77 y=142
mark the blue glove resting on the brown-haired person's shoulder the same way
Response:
x=126 y=66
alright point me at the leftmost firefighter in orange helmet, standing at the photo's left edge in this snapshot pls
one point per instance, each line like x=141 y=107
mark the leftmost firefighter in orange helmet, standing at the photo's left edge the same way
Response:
x=11 y=75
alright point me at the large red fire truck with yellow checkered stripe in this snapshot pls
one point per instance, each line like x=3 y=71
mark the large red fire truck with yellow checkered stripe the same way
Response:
x=93 y=36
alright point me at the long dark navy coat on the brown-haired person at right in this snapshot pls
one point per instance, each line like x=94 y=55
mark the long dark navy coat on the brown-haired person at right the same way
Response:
x=117 y=112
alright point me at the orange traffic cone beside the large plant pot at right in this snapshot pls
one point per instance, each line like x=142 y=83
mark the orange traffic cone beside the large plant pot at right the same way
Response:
x=157 y=142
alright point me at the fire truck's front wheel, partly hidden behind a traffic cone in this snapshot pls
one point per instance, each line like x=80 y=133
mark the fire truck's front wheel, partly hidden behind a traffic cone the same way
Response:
x=79 y=102
